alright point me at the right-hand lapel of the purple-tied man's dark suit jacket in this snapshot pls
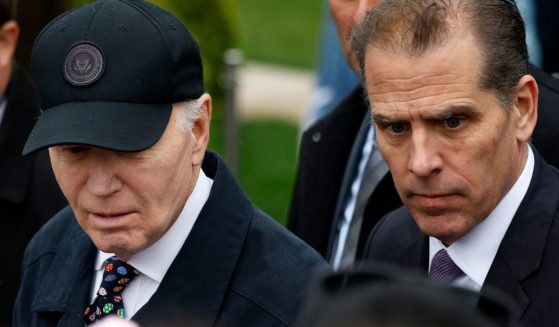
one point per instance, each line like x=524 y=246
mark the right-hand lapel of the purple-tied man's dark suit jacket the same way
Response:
x=521 y=251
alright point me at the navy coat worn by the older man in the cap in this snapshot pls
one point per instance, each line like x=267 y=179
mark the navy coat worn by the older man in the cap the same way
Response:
x=237 y=267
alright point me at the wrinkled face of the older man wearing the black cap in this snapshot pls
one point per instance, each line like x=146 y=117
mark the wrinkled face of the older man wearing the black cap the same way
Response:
x=127 y=201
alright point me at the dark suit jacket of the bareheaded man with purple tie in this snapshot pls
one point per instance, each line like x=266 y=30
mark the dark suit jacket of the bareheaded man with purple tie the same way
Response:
x=526 y=265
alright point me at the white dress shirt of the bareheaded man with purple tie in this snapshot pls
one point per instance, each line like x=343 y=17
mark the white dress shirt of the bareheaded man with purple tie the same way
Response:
x=474 y=253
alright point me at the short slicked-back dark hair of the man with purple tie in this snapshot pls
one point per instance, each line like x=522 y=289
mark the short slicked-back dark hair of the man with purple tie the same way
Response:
x=413 y=26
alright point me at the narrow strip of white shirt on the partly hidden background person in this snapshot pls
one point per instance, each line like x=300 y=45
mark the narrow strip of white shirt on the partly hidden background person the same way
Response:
x=351 y=203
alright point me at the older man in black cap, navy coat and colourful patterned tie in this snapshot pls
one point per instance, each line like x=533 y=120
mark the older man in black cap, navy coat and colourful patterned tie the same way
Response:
x=157 y=229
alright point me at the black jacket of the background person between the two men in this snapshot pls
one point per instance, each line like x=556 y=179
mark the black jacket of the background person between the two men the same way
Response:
x=324 y=159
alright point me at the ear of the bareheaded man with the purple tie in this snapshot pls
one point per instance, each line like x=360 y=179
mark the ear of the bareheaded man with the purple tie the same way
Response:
x=526 y=104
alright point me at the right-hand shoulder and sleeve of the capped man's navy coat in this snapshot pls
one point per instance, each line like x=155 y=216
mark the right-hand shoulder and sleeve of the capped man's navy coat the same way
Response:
x=274 y=269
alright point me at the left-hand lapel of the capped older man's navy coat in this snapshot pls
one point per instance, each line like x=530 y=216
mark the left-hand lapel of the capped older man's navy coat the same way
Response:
x=72 y=267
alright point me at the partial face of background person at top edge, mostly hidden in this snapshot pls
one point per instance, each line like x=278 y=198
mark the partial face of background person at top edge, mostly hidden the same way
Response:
x=346 y=13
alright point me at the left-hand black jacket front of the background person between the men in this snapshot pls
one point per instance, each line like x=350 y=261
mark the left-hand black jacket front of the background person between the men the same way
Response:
x=323 y=157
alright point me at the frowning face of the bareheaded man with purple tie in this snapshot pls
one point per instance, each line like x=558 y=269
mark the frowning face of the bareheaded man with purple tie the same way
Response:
x=454 y=151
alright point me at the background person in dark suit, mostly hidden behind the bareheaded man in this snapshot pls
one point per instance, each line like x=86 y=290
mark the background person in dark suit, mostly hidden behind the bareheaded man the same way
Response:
x=342 y=185
